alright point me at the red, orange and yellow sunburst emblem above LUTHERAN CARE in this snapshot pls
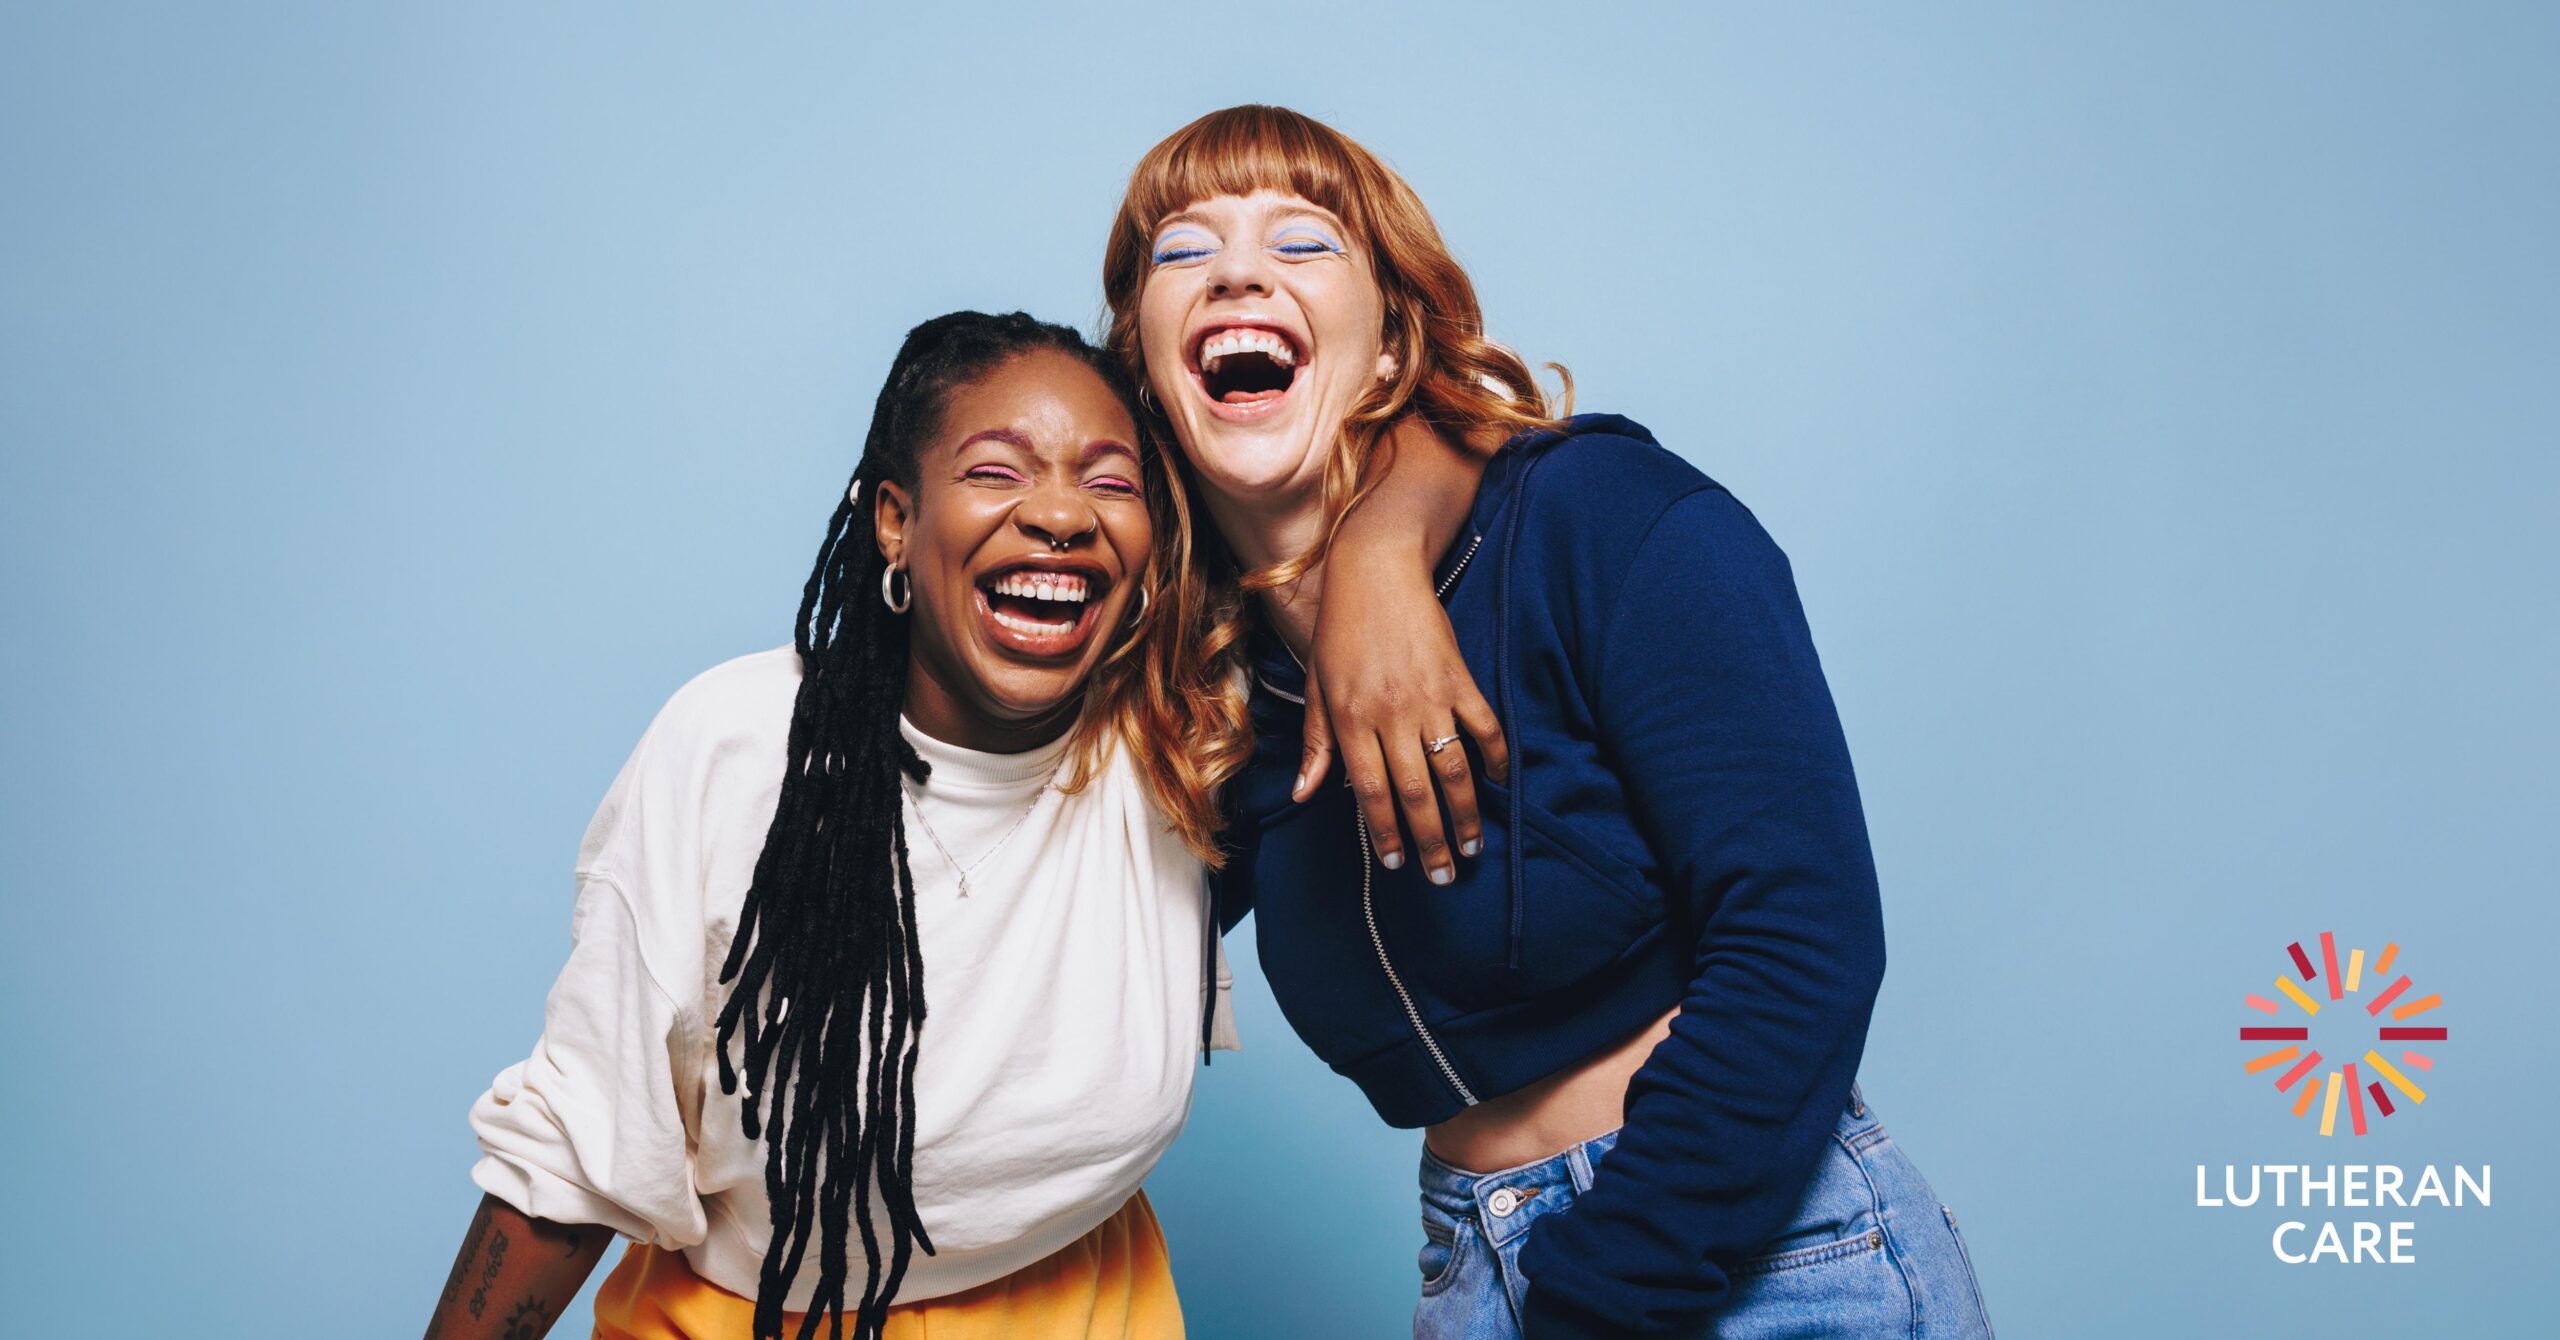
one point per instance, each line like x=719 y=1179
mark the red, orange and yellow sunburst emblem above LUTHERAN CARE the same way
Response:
x=2303 y=1067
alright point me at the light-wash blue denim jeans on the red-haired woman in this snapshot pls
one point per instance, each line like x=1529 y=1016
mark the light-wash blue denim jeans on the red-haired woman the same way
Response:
x=1870 y=1249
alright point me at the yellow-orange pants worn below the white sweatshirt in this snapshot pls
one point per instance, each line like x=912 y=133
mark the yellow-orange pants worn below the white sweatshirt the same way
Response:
x=1112 y=1282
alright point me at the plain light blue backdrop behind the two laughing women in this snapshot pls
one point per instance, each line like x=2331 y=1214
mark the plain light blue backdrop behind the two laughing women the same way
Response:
x=2157 y=406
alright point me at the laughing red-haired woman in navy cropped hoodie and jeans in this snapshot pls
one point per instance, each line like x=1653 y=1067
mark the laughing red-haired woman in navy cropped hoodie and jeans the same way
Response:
x=1629 y=1008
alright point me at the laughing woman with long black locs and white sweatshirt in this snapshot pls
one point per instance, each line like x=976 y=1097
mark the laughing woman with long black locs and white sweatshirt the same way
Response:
x=989 y=652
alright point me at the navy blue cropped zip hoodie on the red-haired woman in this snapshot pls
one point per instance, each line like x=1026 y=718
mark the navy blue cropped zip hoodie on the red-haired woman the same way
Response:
x=1681 y=831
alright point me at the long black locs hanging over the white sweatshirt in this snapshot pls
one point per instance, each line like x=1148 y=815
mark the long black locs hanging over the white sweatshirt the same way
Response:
x=828 y=988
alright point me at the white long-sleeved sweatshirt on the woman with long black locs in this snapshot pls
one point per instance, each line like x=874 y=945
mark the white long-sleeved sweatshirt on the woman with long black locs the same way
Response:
x=1064 y=1001
